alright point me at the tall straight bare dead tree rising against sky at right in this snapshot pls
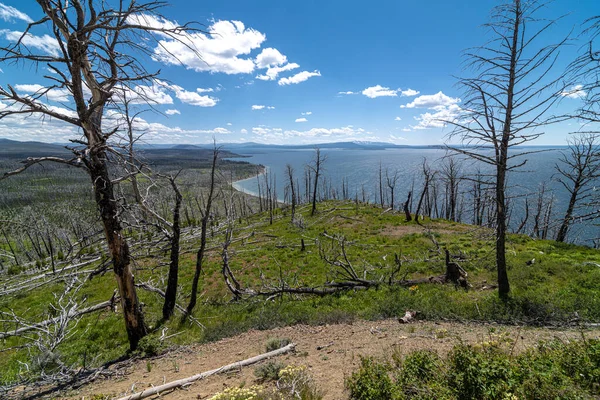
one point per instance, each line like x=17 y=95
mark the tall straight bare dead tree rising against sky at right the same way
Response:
x=506 y=102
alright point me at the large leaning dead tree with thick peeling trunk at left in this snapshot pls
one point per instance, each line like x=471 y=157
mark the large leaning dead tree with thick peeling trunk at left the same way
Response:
x=96 y=61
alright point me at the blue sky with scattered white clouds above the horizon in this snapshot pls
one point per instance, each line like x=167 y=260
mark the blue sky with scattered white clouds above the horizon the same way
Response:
x=304 y=72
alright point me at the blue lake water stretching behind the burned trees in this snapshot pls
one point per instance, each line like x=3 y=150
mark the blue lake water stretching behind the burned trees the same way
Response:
x=360 y=169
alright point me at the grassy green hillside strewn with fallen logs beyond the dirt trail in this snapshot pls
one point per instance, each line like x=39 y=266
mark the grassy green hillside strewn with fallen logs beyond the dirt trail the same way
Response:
x=563 y=281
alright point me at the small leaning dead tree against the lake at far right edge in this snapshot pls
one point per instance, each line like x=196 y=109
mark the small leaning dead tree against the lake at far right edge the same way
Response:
x=578 y=168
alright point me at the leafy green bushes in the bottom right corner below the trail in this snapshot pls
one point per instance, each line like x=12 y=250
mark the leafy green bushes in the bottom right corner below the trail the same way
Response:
x=489 y=370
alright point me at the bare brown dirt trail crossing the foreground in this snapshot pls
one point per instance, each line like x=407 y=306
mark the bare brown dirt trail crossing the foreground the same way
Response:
x=329 y=366
